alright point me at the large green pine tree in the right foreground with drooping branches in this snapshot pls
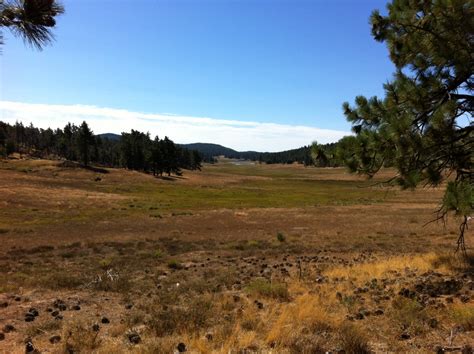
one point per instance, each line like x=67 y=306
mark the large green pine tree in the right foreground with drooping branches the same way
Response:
x=423 y=126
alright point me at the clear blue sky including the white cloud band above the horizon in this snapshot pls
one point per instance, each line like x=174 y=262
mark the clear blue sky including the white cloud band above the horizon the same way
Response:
x=282 y=63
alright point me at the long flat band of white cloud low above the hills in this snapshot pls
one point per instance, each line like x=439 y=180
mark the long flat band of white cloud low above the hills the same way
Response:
x=239 y=135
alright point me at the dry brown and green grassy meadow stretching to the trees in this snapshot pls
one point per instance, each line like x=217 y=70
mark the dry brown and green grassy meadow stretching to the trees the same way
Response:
x=250 y=258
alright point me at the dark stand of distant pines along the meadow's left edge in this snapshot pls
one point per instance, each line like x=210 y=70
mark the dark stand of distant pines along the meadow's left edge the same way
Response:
x=134 y=150
